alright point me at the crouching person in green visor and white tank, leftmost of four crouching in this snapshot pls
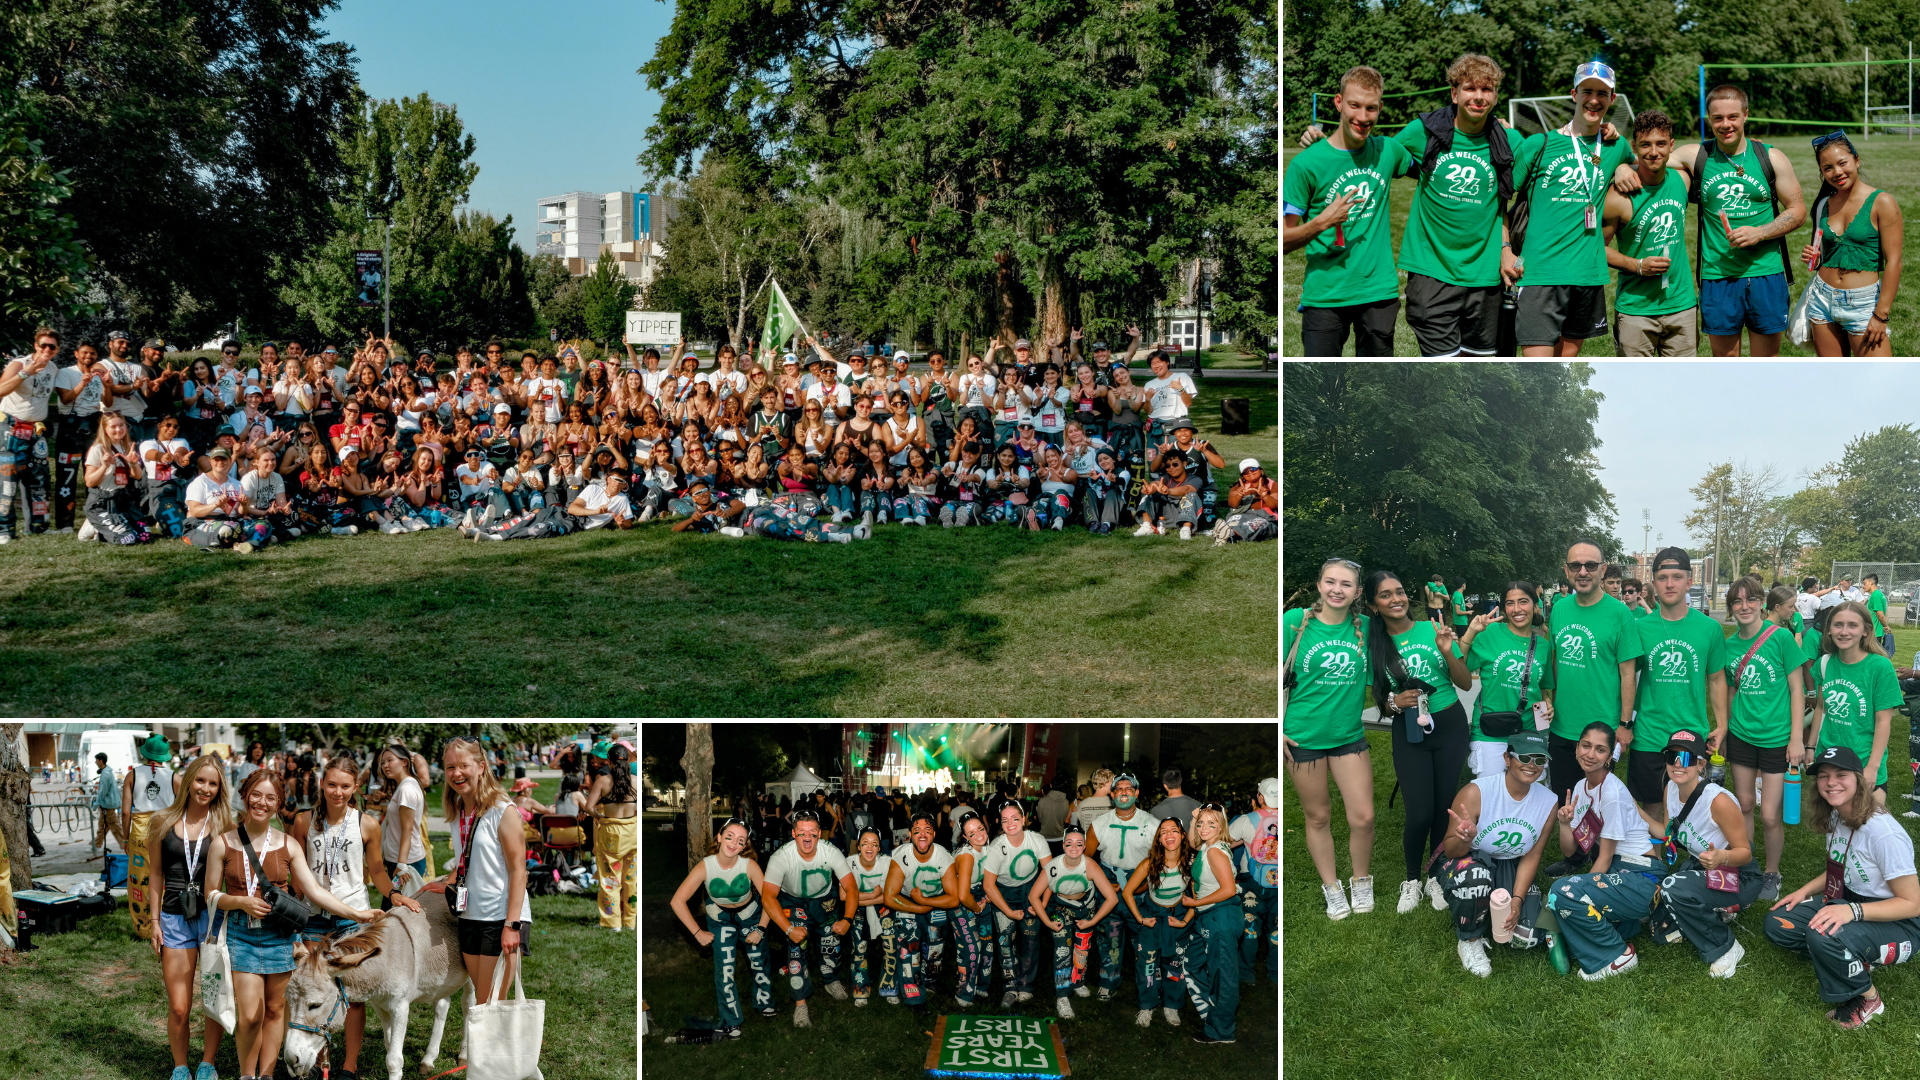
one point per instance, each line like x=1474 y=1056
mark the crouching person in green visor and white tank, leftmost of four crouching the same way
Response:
x=1493 y=848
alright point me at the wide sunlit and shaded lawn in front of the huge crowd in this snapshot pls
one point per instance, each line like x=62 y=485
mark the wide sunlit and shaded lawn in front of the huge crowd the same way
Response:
x=972 y=622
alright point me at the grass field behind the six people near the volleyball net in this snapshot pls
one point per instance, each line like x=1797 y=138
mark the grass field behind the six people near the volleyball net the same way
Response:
x=1888 y=162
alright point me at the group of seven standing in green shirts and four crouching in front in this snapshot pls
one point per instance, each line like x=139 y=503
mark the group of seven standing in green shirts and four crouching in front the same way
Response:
x=1712 y=731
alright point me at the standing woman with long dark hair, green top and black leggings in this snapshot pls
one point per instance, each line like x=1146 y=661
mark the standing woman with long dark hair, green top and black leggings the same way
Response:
x=1416 y=672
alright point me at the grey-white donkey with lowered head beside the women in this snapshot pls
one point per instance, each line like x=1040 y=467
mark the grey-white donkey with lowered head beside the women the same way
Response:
x=389 y=964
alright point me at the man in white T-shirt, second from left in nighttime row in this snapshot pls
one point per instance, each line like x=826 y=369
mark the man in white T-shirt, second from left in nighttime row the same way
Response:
x=809 y=883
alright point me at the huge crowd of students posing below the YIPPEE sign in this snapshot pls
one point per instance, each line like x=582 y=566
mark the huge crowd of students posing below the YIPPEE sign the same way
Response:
x=827 y=449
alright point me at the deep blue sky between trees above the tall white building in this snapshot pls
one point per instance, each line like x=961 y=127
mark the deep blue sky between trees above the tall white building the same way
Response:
x=550 y=93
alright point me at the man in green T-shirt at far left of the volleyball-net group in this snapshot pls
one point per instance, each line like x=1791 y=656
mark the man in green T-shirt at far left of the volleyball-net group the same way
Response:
x=1337 y=210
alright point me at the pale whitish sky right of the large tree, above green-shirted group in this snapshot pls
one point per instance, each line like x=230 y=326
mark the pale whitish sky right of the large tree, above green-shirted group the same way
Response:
x=1662 y=426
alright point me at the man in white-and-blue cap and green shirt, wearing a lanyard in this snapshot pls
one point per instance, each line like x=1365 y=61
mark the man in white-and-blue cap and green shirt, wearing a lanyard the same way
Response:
x=1562 y=289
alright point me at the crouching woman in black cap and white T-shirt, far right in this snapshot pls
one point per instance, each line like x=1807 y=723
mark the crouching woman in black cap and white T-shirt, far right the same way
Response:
x=1865 y=910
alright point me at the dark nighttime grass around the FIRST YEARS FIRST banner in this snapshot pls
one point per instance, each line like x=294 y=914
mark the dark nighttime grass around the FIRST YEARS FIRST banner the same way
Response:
x=882 y=1041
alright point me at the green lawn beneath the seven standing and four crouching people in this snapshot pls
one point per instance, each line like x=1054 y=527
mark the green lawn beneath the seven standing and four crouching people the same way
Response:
x=1447 y=1023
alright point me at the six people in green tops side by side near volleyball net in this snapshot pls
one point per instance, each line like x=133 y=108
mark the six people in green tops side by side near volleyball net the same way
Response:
x=1508 y=239
